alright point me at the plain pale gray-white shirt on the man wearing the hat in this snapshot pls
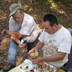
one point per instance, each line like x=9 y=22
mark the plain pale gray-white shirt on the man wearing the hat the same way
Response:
x=27 y=28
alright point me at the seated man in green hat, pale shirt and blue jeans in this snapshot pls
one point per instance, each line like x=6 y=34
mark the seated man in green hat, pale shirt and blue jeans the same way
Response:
x=21 y=27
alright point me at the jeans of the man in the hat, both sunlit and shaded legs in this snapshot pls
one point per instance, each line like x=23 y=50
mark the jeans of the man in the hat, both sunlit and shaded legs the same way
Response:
x=13 y=50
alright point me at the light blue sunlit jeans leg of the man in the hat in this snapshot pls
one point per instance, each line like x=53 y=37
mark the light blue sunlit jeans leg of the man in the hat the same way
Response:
x=12 y=51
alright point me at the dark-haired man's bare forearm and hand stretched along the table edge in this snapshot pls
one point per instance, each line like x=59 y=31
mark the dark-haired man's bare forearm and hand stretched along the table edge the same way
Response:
x=53 y=58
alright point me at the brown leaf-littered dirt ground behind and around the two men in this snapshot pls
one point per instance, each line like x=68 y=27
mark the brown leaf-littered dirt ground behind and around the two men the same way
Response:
x=37 y=10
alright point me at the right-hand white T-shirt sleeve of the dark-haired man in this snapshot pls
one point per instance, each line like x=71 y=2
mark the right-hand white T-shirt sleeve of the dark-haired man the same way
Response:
x=65 y=45
